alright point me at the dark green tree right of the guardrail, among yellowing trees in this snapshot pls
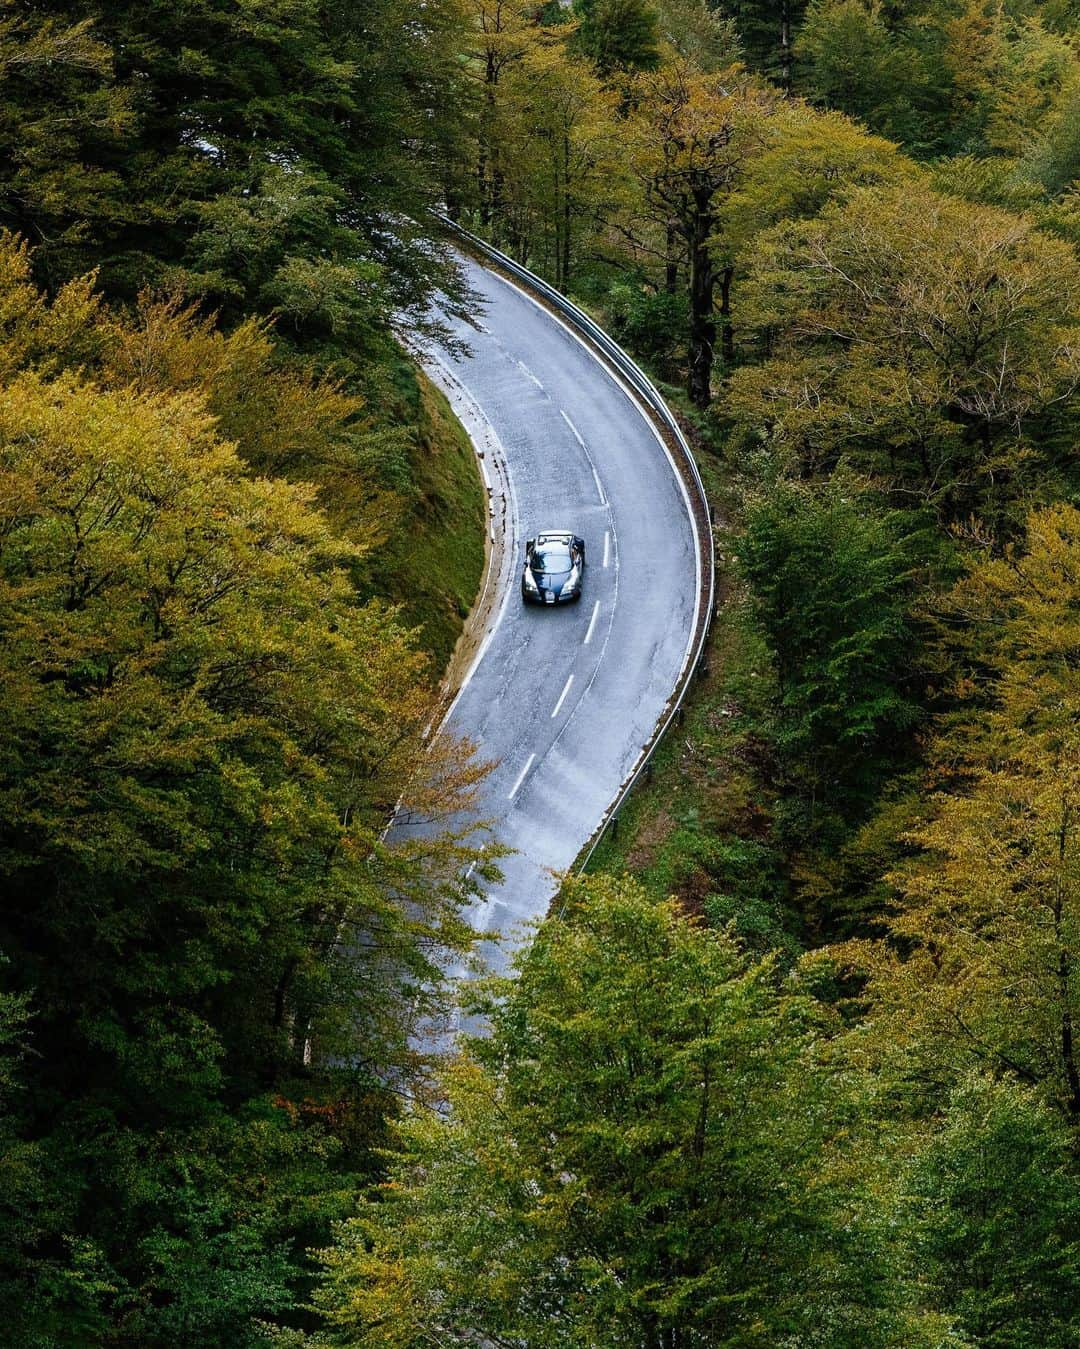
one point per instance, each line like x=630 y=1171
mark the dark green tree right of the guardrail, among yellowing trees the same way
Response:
x=834 y=585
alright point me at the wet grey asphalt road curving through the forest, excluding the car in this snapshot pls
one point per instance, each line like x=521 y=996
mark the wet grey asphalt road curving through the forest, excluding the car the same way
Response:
x=564 y=698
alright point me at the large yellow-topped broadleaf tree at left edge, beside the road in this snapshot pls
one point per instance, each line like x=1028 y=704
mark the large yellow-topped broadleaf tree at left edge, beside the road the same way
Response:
x=206 y=730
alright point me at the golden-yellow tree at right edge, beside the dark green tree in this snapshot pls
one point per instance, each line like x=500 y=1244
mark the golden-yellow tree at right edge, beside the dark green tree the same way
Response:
x=982 y=965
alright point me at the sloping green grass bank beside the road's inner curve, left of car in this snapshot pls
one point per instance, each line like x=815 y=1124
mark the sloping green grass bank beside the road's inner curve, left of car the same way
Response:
x=433 y=561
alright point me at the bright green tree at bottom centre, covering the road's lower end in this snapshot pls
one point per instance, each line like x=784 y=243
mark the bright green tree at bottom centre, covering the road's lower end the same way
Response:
x=633 y=1158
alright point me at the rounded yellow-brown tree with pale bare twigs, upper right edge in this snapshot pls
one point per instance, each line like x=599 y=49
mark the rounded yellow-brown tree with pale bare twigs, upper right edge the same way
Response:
x=928 y=342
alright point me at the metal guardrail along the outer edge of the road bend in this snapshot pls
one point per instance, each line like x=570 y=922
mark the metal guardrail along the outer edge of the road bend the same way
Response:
x=649 y=395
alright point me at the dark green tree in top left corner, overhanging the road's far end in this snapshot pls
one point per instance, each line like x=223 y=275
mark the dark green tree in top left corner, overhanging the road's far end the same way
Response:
x=261 y=150
